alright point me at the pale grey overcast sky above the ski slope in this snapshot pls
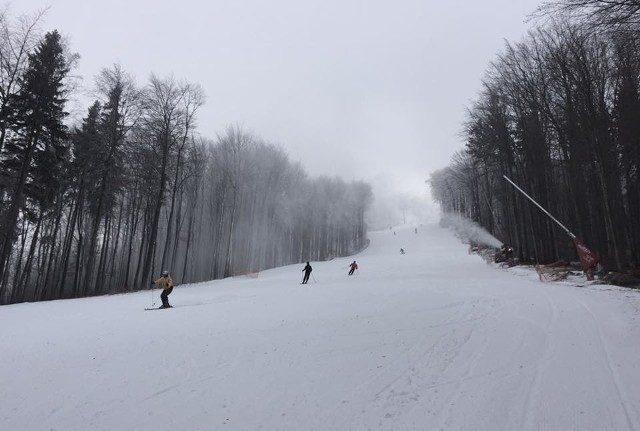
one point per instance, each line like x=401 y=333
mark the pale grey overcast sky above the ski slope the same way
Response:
x=372 y=90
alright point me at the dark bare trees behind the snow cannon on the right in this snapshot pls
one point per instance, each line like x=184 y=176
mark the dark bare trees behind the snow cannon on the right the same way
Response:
x=559 y=114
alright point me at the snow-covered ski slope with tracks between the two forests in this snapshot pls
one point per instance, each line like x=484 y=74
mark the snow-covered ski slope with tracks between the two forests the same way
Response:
x=435 y=339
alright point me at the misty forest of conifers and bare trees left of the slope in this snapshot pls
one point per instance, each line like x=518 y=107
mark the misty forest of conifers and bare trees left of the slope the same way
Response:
x=103 y=206
